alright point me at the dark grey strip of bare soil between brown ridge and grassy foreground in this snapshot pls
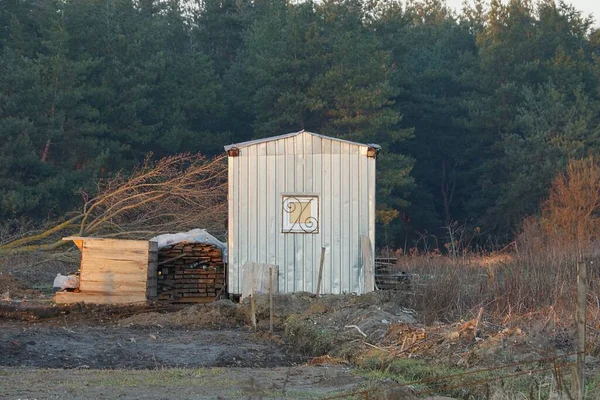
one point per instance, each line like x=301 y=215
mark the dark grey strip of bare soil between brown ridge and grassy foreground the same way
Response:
x=137 y=348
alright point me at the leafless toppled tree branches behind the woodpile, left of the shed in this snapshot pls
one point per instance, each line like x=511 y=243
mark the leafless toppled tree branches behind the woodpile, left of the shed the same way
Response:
x=174 y=194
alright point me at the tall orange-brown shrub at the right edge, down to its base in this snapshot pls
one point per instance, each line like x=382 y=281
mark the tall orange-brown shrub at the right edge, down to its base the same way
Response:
x=543 y=274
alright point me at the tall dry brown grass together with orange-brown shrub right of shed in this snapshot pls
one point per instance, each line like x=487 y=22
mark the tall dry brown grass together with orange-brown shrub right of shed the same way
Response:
x=541 y=275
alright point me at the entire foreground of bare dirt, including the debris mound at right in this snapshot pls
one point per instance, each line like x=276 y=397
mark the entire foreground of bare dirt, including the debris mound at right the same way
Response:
x=161 y=351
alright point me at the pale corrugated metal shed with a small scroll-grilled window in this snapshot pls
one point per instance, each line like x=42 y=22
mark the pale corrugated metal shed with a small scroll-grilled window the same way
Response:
x=293 y=194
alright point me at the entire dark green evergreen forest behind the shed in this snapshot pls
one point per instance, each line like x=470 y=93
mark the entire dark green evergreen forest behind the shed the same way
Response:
x=476 y=110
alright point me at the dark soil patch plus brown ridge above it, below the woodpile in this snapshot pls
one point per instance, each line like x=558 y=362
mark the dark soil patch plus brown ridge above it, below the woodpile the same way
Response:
x=79 y=336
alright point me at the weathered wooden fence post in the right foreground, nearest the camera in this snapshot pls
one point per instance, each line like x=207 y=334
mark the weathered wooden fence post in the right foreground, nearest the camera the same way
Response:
x=581 y=321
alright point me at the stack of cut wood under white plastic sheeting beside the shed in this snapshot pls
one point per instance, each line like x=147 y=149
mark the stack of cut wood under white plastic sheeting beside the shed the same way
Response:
x=190 y=272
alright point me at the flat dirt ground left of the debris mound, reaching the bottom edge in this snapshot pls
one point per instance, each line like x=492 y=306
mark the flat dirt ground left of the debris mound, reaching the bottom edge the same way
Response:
x=157 y=352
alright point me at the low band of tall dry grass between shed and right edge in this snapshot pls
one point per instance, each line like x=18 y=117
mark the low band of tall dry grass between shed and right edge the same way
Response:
x=538 y=278
